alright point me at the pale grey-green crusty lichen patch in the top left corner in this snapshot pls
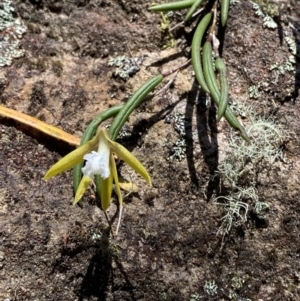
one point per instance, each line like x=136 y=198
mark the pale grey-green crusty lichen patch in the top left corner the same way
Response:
x=11 y=29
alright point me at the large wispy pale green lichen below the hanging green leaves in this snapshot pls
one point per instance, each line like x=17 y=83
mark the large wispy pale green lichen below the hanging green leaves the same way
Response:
x=238 y=171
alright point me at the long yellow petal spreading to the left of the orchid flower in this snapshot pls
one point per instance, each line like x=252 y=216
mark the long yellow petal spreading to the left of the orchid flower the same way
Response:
x=72 y=159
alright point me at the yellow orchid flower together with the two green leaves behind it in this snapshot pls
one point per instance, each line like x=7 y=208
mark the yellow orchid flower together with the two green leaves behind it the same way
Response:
x=98 y=152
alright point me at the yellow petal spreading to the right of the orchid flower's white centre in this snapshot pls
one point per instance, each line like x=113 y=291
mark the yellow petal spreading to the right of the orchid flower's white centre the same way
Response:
x=128 y=157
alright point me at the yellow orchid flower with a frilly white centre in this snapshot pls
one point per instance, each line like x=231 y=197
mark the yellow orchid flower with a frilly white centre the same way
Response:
x=102 y=163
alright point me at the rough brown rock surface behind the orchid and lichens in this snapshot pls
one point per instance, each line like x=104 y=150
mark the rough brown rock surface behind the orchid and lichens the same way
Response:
x=167 y=247
